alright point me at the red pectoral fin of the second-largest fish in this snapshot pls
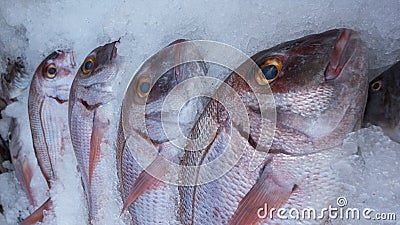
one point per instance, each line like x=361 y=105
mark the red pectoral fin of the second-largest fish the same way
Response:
x=146 y=181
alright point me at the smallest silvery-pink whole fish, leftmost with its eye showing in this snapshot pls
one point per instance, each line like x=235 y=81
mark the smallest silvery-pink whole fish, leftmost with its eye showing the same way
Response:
x=48 y=110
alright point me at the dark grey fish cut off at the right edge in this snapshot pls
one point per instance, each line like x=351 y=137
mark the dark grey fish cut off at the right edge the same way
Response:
x=383 y=102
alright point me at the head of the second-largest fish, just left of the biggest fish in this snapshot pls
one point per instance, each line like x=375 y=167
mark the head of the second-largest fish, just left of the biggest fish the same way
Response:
x=154 y=81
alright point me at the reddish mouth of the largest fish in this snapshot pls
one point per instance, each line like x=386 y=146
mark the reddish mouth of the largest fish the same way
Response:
x=344 y=48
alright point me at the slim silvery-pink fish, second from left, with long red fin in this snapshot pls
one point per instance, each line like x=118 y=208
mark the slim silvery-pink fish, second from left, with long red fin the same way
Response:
x=89 y=121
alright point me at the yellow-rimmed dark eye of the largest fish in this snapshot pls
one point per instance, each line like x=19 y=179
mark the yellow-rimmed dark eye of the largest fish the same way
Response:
x=269 y=71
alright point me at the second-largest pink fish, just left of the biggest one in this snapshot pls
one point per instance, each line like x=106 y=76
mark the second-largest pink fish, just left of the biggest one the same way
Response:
x=149 y=199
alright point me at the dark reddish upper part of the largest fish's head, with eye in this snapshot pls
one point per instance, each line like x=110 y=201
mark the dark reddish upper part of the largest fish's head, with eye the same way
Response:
x=308 y=61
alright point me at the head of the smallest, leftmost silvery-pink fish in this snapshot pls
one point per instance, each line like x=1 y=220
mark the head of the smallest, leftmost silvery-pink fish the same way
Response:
x=54 y=76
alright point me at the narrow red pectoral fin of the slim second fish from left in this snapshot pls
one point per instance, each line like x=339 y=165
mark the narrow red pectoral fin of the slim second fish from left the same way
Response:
x=95 y=141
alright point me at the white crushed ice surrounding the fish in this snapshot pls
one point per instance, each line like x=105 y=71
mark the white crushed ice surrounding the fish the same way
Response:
x=145 y=27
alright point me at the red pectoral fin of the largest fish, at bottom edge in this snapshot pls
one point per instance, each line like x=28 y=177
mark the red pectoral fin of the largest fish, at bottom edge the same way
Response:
x=266 y=191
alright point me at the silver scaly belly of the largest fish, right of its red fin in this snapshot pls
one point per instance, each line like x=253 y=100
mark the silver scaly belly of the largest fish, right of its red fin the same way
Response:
x=317 y=184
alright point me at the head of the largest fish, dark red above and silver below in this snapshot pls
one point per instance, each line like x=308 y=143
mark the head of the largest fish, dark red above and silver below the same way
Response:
x=319 y=83
